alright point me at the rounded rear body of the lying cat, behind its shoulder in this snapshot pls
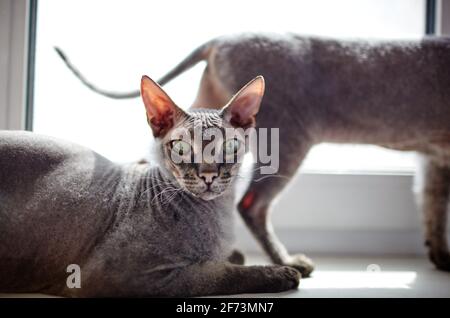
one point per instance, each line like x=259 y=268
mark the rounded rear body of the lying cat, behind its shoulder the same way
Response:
x=53 y=205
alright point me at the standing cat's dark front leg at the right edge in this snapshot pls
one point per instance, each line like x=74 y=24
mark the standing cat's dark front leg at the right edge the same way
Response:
x=436 y=192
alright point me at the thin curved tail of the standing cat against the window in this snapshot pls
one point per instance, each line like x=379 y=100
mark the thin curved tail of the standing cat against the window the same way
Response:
x=198 y=55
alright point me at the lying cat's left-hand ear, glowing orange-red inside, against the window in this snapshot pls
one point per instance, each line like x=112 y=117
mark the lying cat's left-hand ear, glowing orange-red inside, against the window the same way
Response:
x=161 y=110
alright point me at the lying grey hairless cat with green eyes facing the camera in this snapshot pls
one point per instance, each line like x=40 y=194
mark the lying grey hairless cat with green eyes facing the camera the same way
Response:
x=135 y=230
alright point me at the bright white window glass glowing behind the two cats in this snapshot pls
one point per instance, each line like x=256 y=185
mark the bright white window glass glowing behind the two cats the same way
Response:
x=115 y=42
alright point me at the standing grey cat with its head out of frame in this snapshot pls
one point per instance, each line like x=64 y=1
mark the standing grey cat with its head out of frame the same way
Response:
x=394 y=94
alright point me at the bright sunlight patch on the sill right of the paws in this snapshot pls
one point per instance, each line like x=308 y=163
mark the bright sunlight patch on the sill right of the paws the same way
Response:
x=359 y=279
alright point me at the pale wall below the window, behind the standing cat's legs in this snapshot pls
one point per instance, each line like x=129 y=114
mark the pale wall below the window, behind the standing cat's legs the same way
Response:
x=351 y=214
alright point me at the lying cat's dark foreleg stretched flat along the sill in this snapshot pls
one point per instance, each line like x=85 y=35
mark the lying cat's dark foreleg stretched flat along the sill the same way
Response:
x=212 y=278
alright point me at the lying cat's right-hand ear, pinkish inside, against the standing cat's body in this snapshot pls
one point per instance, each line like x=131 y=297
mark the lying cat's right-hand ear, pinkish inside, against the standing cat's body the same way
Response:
x=241 y=110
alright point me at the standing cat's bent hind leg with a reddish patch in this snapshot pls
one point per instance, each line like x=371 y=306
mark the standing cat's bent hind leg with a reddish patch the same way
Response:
x=255 y=205
